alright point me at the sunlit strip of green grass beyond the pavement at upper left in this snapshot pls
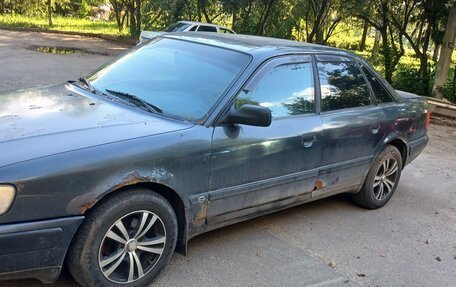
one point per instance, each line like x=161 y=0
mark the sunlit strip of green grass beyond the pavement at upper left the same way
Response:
x=63 y=24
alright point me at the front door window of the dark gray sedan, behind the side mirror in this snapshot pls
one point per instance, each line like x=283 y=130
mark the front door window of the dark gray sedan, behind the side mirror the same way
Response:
x=286 y=90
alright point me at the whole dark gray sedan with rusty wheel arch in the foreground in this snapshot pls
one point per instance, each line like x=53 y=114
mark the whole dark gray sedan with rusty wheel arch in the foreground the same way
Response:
x=184 y=134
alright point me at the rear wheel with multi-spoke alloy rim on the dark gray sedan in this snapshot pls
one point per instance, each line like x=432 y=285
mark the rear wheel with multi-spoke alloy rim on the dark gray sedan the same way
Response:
x=382 y=179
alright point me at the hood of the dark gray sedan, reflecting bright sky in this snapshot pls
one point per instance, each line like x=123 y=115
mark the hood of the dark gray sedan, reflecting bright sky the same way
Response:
x=50 y=120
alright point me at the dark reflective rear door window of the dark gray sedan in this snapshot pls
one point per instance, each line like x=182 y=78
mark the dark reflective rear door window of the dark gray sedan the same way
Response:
x=342 y=86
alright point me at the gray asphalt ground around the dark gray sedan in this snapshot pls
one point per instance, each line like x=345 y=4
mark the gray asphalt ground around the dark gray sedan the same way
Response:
x=409 y=242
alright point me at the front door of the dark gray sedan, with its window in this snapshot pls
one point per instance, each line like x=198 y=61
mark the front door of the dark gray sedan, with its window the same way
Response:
x=254 y=169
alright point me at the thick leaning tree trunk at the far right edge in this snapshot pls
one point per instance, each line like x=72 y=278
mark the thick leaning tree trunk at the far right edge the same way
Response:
x=446 y=51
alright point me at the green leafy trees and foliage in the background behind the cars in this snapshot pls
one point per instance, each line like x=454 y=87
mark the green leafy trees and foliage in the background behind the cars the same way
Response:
x=406 y=30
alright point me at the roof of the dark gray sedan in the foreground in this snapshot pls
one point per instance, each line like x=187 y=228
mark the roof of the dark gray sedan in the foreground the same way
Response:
x=255 y=45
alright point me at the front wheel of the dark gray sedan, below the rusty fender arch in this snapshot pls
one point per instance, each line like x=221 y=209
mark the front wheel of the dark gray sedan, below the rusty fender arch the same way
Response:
x=125 y=240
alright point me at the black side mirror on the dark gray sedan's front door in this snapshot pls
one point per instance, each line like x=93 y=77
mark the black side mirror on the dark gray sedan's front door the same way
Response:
x=250 y=115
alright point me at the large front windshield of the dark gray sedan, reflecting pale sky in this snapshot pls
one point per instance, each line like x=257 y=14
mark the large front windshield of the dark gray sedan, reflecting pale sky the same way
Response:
x=180 y=78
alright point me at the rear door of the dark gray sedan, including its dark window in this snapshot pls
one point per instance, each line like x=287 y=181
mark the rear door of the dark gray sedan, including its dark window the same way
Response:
x=353 y=126
